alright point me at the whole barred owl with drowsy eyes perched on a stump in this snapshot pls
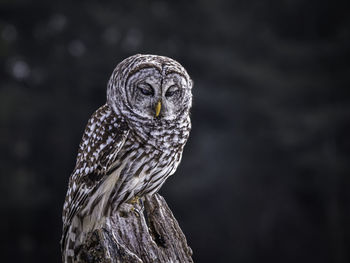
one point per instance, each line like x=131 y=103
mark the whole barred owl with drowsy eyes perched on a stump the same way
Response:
x=130 y=146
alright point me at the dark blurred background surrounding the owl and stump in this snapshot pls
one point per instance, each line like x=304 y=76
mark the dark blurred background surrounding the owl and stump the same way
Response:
x=265 y=174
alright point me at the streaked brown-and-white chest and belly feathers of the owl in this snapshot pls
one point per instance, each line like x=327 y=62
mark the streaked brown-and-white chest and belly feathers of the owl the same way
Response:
x=144 y=165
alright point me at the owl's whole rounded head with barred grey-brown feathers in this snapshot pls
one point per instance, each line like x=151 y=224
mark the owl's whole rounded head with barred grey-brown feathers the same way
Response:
x=150 y=88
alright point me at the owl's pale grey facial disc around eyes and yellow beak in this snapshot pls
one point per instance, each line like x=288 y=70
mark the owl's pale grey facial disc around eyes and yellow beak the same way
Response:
x=154 y=96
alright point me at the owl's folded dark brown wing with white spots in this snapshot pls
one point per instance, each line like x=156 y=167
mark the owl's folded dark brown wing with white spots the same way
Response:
x=103 y=137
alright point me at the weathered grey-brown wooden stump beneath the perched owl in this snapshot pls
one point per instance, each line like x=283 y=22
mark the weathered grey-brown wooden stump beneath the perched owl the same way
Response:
x=146 y=232
